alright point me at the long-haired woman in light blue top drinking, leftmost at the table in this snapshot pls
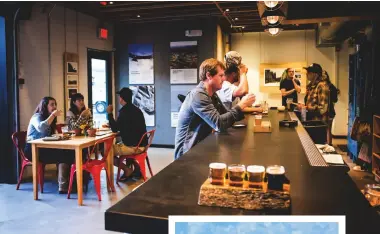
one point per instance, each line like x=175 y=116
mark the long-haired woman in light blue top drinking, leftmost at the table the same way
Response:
x=42 y=124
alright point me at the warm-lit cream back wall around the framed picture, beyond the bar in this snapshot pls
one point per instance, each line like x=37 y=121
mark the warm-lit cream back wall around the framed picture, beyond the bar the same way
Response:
x=293 y=46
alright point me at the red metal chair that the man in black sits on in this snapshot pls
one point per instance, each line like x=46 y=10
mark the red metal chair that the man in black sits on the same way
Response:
x=139 y=157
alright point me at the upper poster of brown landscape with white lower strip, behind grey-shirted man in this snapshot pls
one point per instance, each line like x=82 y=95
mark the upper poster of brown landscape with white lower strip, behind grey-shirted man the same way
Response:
x=183 y=62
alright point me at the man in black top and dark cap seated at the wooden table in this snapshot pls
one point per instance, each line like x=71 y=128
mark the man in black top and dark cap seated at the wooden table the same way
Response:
x=131 y=125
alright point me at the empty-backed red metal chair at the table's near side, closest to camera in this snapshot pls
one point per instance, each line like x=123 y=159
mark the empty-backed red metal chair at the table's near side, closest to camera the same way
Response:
x=95 y=167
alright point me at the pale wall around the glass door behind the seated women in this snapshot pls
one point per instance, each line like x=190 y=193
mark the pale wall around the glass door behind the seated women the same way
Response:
x=80 y=35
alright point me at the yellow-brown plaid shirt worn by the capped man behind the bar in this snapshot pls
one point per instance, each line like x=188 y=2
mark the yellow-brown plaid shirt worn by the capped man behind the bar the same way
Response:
x=317 y=102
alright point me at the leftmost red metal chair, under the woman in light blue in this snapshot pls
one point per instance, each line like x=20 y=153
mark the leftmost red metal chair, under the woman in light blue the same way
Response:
x=19 y=141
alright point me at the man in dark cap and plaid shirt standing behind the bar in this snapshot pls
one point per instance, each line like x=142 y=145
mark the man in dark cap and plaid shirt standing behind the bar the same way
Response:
x=317 y=94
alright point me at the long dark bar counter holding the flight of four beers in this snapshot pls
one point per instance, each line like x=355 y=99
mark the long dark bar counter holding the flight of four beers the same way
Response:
x=175 y=190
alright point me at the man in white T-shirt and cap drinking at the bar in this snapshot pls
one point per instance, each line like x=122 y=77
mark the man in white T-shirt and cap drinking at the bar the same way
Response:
x=235 y=85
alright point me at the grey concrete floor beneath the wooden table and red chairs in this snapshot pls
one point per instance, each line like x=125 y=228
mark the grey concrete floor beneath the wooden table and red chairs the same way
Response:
x=19 y=213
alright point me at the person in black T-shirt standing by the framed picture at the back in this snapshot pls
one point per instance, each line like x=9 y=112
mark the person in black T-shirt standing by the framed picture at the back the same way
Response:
x=290 y=86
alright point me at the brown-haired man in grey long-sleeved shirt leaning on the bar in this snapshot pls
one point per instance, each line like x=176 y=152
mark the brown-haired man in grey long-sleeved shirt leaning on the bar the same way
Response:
x=198 y=114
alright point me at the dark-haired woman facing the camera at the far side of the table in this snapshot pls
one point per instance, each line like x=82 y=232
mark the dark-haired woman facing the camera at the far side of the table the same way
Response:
x=78 y=114
